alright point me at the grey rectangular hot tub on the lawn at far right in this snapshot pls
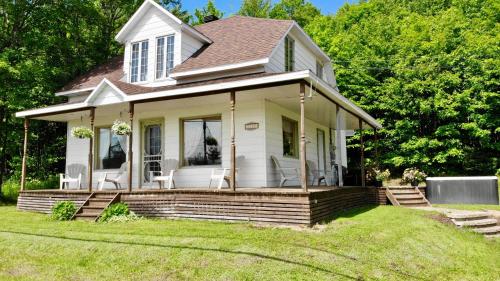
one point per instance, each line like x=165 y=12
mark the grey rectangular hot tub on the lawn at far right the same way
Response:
x=463 y=190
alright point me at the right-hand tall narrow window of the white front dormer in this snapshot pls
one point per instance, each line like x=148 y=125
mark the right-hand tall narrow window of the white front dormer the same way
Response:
x=164 y=55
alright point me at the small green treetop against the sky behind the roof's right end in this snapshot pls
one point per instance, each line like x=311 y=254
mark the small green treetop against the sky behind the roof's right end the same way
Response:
x=301 y=11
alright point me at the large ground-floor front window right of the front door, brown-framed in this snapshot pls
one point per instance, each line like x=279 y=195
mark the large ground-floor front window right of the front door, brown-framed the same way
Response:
x=202 y=141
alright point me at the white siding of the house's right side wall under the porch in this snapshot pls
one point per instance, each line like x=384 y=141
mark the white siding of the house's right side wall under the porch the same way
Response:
x=274 y=142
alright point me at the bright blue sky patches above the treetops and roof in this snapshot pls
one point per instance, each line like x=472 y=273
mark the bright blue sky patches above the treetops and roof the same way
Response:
x=232 y=6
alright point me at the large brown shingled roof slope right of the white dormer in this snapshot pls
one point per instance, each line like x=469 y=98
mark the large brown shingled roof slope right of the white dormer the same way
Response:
x=235 y=40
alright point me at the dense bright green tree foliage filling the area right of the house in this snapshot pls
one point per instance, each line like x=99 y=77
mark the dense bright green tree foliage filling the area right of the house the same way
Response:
x=429 y=71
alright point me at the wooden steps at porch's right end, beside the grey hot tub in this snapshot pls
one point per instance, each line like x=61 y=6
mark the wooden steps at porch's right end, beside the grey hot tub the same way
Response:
x=406 y=196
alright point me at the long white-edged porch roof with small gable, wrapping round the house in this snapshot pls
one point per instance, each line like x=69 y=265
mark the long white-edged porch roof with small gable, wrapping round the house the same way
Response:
x=139 y=94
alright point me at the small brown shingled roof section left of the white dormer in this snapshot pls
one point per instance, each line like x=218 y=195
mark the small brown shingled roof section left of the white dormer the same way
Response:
x=112 y=70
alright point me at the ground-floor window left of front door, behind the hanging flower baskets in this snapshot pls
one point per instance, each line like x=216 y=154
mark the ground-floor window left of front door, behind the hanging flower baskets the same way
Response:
x=111 y=149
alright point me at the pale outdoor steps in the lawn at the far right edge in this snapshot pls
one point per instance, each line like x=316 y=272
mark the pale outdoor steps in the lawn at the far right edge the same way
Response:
x=480 y=222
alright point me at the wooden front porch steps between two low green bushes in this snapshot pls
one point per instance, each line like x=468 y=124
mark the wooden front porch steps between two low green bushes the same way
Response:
x=95 y=204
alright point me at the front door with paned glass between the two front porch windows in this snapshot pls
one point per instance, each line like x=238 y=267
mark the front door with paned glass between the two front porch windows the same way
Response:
x=152 y=152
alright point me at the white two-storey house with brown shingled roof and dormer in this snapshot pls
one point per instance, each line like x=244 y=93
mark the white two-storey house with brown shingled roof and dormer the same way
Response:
x=258 y=87
